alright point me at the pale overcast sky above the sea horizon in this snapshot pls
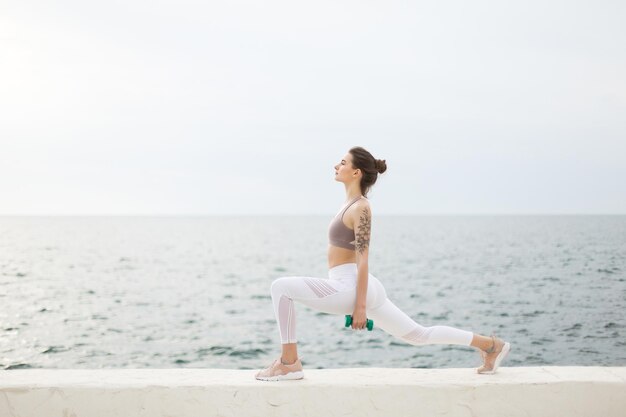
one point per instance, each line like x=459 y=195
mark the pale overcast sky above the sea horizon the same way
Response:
x=141 y=107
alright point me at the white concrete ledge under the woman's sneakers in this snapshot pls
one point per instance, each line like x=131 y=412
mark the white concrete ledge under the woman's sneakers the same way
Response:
x=534 y=391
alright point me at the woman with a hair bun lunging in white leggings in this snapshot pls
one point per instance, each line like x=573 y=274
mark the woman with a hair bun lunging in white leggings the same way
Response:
x=350 y=289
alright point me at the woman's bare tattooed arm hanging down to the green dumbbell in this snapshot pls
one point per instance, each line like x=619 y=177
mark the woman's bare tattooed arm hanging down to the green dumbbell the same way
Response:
x=362 y=230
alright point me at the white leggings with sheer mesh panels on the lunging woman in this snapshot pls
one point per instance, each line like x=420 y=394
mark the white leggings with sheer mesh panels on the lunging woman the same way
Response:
x=337 y=295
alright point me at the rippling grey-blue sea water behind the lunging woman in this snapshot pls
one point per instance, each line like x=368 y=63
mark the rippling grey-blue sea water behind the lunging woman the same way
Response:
x=193 y=292
